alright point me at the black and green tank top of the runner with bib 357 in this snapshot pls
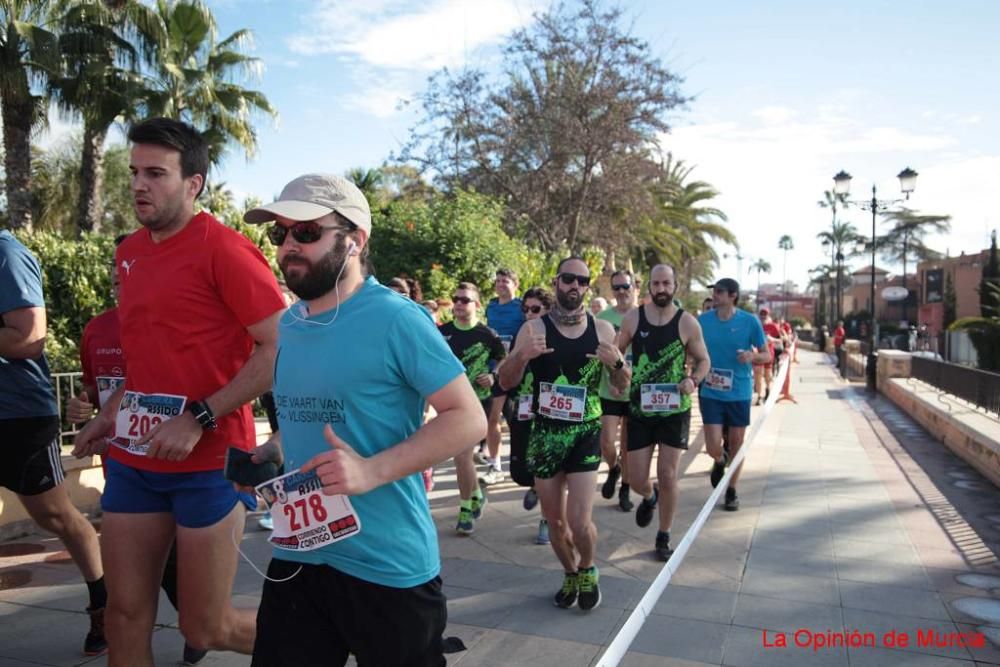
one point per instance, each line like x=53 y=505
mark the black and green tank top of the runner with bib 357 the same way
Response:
x=658 y=356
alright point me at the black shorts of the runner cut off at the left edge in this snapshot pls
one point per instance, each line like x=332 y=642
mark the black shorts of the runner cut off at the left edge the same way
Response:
x=31 y=454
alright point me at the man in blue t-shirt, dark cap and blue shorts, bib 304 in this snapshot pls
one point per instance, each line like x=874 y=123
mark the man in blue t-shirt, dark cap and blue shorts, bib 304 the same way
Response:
x=735 y=340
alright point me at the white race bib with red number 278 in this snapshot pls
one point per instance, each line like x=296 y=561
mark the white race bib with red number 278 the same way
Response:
x=304 y=517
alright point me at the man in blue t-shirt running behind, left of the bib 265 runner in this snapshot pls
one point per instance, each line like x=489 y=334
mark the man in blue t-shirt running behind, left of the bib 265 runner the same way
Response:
x=503 y=315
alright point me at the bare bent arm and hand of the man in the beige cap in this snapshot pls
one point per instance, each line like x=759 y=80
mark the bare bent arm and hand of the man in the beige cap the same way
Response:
x=459 y=422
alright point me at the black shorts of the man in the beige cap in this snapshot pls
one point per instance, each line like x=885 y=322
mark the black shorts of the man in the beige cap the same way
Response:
x=321 y=614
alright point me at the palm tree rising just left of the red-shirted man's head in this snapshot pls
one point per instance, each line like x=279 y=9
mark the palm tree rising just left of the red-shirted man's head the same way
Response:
x=100 y=82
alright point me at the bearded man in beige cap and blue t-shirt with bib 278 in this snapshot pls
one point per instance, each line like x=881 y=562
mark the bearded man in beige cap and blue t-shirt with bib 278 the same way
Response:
x=355 y=565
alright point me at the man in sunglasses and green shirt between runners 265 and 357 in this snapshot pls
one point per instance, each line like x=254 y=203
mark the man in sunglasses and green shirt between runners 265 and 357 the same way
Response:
x=614 y=408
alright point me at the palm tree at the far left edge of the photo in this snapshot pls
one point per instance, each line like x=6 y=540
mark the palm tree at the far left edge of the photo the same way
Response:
x=29 y=54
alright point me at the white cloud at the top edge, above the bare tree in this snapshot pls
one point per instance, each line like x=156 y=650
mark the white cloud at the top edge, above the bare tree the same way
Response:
x=388 y=33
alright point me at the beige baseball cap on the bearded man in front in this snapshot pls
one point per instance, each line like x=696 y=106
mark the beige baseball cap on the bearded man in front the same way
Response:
x=314 y=195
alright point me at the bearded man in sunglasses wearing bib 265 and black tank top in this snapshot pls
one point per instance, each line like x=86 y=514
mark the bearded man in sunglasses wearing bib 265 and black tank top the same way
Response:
x=566 y=351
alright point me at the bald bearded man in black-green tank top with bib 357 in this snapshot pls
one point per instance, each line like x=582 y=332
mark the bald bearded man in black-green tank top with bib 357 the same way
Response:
x=662 y=336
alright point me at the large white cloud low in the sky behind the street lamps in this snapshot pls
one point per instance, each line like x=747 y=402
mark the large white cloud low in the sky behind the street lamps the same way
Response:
x=771 y=173
